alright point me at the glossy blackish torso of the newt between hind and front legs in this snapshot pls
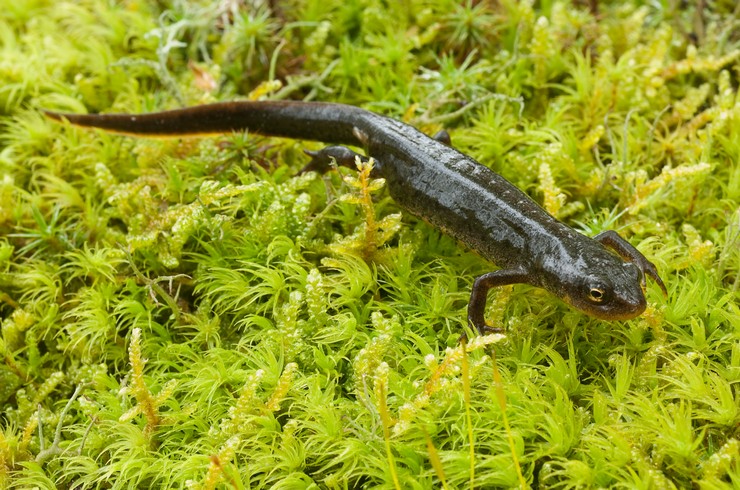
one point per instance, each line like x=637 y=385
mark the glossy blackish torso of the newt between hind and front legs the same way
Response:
x=462 y=197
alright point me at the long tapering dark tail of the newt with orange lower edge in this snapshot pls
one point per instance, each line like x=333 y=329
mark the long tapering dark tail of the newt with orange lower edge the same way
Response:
x=318 y=121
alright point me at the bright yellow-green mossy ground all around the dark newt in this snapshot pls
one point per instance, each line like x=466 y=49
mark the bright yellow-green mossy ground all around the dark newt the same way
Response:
x=190 y=313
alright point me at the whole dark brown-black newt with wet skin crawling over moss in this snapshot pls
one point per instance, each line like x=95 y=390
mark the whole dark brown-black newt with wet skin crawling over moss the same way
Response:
x=443 y=186
